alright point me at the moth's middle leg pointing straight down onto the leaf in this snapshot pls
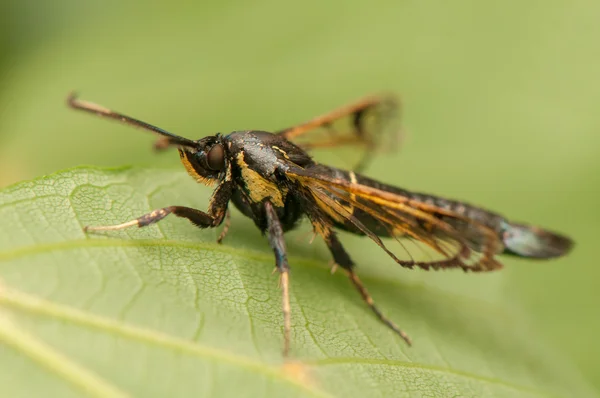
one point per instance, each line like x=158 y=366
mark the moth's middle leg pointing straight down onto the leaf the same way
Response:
x=275 y=234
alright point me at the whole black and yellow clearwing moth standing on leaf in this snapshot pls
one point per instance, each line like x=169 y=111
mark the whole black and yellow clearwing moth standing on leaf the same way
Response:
x=272 y=179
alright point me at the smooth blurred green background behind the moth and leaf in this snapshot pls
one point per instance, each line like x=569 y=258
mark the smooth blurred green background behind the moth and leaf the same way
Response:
x=501 y=104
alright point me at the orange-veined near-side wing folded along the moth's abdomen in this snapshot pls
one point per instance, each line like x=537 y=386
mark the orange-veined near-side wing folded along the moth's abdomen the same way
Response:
x=403 y=217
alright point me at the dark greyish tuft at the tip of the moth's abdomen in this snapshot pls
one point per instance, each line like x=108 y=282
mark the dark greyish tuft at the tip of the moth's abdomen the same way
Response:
x=534 y=242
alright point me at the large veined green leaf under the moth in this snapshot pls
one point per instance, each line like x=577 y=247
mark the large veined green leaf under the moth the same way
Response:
x=165 y=311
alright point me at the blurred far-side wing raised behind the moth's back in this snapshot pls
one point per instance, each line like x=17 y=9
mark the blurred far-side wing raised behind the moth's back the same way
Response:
x=347 y=137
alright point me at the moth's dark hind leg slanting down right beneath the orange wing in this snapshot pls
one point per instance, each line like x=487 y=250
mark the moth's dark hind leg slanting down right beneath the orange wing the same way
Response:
x=342 y=259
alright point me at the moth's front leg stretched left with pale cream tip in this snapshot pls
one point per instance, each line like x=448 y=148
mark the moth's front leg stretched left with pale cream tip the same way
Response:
x=196 y=217
